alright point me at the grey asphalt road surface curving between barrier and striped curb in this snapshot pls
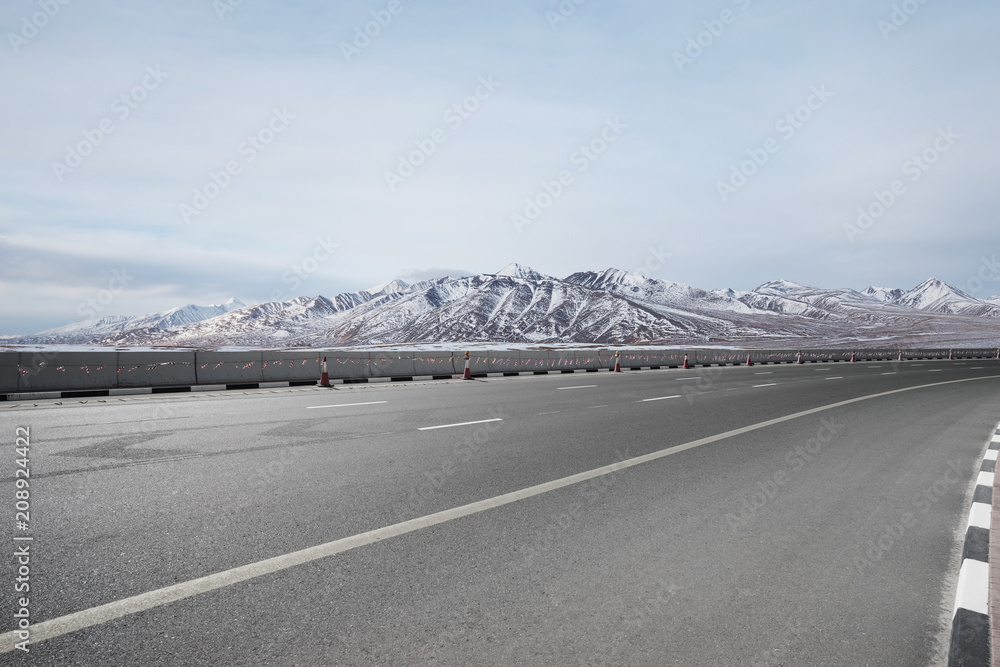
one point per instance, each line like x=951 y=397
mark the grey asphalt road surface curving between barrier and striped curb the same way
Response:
x=827 y=538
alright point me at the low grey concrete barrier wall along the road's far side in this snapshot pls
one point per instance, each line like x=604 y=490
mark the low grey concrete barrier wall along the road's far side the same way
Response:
x=68 y=371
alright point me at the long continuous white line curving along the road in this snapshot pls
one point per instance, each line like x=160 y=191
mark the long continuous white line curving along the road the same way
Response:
x=112 y=610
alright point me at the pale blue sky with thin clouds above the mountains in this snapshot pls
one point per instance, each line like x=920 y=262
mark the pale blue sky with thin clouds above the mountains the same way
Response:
x=189 y=151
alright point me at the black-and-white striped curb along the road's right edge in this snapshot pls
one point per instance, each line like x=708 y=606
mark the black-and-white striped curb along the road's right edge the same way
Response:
x=970 y=626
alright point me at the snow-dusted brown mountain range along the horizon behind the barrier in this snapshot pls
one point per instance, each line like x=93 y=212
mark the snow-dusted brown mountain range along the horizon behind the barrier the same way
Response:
x=518 y=305
